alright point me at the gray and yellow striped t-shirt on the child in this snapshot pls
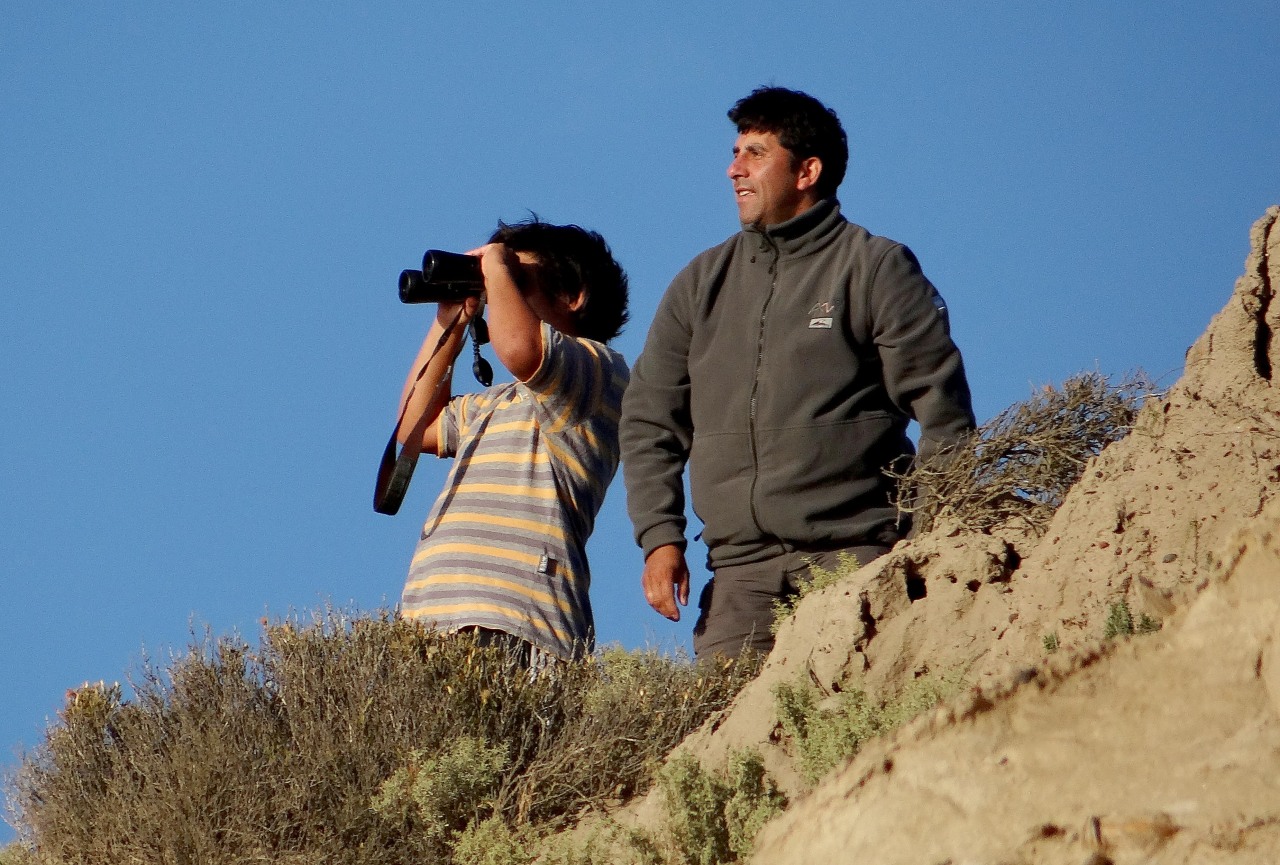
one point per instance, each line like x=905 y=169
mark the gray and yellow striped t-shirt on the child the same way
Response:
x=505 y=546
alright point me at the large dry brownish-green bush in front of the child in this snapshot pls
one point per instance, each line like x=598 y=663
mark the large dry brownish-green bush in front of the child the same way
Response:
x=331 y=740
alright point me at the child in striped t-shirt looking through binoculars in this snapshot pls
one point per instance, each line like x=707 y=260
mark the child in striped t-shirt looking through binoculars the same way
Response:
x=504 y=552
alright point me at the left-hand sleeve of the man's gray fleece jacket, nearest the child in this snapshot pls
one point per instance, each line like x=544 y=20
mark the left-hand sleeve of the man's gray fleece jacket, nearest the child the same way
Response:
x=657 y=429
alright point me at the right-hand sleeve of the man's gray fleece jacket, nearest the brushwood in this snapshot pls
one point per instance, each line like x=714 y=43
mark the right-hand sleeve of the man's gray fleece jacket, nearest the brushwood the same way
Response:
x=922 y=367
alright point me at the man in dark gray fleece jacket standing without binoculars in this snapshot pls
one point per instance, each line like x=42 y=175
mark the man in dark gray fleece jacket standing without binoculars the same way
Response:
x=784 y=367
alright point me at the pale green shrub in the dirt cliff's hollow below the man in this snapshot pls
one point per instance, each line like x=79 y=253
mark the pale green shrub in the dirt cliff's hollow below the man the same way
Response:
x=826 y=736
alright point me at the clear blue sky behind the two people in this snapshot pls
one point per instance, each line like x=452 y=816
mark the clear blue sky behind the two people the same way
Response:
x=205 y=210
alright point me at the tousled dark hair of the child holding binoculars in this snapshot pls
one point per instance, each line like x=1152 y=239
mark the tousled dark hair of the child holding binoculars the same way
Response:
x=570 y=259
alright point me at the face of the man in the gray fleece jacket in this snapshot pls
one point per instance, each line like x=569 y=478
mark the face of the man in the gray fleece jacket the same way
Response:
x=767 y=187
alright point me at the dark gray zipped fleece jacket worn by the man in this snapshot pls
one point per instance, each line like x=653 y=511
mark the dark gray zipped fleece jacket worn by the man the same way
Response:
x=784 y=367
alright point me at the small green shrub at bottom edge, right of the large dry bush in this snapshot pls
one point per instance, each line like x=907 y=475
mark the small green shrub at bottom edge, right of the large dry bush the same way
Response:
x=712 y=818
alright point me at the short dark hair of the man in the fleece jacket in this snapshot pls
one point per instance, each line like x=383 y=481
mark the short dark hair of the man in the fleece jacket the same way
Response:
x=803 y=125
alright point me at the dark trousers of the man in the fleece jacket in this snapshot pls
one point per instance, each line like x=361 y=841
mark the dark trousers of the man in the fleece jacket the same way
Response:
x=738 y=606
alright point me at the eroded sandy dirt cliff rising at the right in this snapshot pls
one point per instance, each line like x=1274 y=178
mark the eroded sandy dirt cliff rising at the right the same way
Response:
x=1154 y=749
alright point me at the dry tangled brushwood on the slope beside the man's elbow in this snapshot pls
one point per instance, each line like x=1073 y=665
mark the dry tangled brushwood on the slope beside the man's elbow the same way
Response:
x=1018 y=468
